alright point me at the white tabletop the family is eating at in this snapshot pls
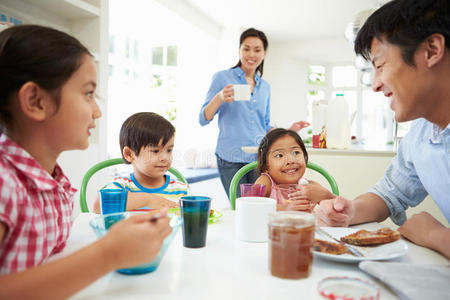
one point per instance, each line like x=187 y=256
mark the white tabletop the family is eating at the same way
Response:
x=225 y=269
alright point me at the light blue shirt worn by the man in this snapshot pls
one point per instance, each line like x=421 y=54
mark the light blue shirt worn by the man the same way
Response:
x=421 y=167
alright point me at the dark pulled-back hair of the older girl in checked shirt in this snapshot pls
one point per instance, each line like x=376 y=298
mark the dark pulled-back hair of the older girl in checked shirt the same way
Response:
x=43 y=55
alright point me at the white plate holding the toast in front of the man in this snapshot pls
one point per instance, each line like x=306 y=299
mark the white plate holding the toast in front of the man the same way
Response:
x=382 y=252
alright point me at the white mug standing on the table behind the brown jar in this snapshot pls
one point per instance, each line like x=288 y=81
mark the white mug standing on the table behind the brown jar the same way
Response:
x=252 y=216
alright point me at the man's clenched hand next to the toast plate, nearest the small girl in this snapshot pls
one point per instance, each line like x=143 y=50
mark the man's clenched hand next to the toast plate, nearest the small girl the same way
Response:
x=335 y=212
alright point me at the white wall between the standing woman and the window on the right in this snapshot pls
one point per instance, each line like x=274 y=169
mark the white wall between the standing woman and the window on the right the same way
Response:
x=286 y=69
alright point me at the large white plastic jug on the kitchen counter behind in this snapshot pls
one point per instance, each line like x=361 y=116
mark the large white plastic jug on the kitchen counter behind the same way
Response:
x=338 y=126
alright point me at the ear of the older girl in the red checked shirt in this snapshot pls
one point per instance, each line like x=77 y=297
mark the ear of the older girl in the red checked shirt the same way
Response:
x=35 y=103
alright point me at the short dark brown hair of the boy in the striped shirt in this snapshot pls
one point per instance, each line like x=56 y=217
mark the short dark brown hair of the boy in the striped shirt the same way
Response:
x=144 y=129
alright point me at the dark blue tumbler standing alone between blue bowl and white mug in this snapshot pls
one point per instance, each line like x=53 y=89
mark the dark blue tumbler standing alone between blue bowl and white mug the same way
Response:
x=195 y=214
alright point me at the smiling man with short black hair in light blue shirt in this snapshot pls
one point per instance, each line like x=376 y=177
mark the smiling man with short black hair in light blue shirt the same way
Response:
x=408 y=43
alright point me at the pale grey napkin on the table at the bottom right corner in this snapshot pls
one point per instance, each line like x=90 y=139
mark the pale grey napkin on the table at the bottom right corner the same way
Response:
x=410 y=281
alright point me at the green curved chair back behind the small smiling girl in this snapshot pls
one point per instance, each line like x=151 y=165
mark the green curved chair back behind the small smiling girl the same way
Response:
x=253 y=165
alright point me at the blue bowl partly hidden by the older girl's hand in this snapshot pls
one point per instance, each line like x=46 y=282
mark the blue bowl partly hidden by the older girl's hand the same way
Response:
x=101 y=224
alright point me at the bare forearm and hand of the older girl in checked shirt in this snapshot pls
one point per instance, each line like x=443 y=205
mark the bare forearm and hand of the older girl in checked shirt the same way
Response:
x=63 y=277
